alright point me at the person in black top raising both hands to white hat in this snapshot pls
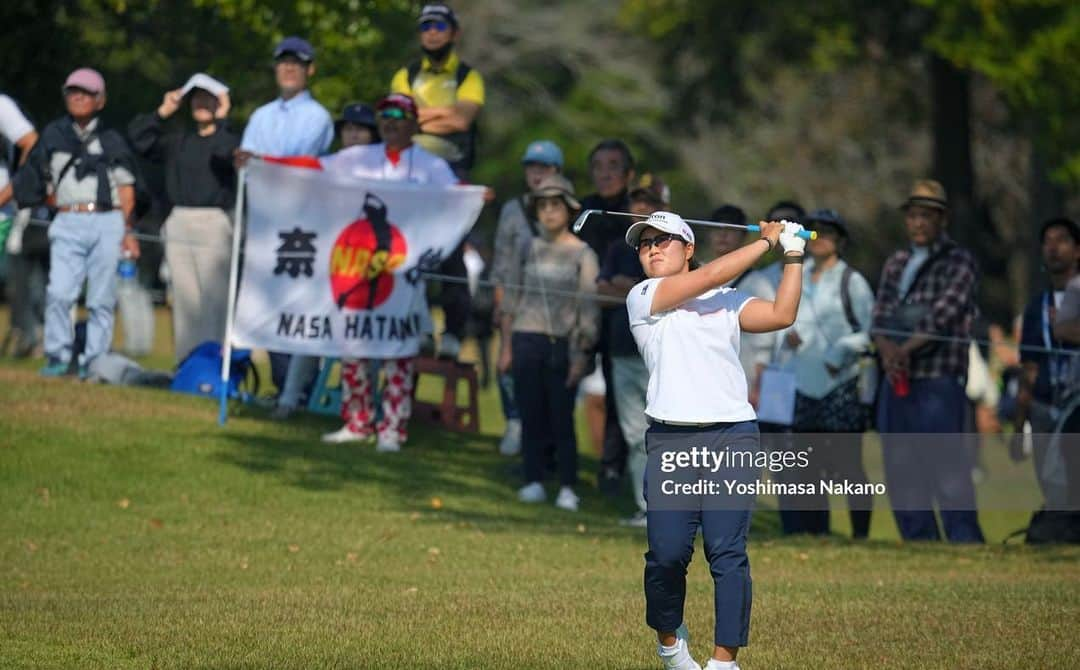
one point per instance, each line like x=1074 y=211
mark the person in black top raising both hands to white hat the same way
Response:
x=201 y=184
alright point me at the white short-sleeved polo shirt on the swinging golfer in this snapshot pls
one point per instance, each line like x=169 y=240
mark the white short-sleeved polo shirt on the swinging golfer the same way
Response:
x=693 y=356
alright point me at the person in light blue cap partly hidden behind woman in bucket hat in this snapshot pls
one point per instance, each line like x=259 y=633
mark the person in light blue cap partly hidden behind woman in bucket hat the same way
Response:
x=543 y=158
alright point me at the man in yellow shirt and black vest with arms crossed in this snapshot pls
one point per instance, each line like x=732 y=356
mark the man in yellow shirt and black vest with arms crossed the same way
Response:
x=449 y=92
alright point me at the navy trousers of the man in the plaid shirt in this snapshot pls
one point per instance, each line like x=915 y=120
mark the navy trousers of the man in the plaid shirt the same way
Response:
x=935 y=406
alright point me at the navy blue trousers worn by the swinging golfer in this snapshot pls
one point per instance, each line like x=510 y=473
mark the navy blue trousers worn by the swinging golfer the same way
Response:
x=672 y=535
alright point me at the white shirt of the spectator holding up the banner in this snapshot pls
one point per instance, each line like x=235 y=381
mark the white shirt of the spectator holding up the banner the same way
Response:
x=374 y=163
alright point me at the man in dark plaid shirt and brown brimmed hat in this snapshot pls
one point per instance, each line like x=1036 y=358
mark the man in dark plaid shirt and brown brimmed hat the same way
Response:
x=927 y=292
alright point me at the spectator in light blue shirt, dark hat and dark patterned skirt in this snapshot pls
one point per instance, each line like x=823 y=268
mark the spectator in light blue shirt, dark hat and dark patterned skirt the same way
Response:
x=825 y=350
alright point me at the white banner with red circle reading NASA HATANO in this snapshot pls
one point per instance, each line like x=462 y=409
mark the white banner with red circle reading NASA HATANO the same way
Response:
x=332 y=265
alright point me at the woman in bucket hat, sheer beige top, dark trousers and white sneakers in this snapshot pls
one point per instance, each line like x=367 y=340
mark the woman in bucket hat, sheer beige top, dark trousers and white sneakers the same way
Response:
x=549 y=326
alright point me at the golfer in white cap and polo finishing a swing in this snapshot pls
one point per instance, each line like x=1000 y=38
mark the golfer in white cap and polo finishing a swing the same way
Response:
x=687 y=328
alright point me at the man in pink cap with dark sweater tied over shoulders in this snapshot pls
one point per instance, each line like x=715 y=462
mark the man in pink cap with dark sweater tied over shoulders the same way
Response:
x=88 y=173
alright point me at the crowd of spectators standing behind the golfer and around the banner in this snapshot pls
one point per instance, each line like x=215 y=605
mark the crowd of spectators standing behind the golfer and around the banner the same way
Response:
x=901 y=358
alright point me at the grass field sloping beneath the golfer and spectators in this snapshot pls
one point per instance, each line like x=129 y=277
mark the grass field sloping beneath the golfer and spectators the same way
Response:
x=138 y=534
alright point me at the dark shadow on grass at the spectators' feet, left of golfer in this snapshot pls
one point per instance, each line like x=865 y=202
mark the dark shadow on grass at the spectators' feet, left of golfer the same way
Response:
x=474 y=484
